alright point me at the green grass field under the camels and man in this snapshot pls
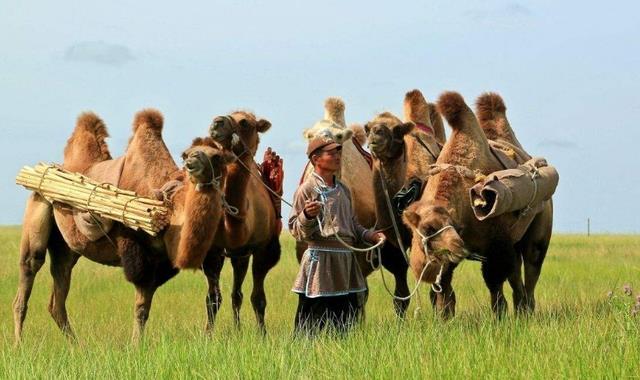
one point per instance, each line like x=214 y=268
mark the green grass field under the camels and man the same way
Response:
x=578 y=331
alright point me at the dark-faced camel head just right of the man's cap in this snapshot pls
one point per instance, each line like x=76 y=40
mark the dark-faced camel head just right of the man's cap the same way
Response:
x=386 y=136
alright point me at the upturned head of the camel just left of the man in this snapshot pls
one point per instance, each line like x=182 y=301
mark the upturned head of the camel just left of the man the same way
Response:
x=238 y=132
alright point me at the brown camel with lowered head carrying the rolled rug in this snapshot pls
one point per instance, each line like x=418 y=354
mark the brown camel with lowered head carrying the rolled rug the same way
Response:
x=446 y=228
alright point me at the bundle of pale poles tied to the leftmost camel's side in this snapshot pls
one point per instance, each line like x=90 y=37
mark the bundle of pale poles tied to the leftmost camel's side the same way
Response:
x=105 y=200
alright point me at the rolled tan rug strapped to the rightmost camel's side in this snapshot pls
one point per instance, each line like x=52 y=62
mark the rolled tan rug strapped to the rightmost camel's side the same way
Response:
x=514 y=189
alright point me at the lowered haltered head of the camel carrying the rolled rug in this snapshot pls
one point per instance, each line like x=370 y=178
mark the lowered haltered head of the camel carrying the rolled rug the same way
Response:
x=435 y=232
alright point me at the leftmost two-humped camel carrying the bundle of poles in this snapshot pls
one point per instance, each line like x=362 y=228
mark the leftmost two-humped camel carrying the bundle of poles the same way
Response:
x=148 y=262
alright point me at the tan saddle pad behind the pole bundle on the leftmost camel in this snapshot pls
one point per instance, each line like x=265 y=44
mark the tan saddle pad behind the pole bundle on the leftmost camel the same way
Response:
x=89 y=224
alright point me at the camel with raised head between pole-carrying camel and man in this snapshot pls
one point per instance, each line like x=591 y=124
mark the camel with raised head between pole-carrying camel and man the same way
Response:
x=255 y=230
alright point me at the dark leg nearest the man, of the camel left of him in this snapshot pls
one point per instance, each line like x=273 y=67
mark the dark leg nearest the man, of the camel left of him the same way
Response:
x=263 y=261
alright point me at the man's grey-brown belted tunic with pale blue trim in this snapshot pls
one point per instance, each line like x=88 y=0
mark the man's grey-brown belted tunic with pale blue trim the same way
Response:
x=327 y=267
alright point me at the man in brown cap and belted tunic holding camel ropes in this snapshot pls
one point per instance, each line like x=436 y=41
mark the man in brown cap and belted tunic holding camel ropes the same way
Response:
x=329 y=277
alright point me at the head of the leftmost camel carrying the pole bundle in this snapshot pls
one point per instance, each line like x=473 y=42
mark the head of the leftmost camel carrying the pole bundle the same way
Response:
x=206 y=162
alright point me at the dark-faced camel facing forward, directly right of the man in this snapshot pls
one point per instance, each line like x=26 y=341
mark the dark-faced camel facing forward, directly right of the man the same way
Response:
x=402 y=152
